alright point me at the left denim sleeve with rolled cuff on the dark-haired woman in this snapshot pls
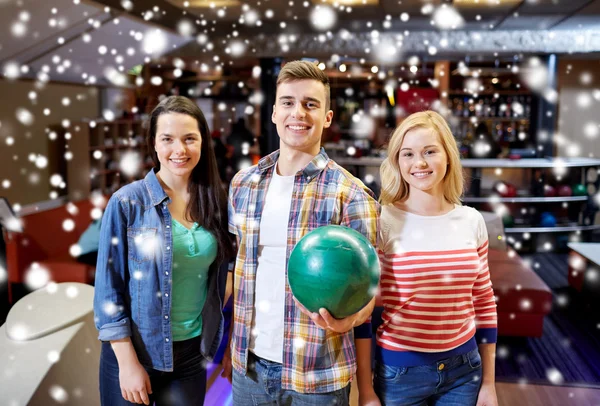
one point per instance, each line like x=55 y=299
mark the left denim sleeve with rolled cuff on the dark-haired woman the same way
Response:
x=111 y=307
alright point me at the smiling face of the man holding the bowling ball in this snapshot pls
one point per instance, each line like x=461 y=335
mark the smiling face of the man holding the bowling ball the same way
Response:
x=300 y=116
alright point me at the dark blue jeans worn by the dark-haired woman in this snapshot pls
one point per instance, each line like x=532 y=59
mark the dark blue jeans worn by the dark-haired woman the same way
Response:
x=185 y=386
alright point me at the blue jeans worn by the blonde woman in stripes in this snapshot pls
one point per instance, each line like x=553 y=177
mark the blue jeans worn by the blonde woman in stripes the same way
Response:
x=454 y=381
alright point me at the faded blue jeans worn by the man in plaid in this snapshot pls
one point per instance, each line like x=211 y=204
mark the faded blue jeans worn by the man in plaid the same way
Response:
x=262 y=386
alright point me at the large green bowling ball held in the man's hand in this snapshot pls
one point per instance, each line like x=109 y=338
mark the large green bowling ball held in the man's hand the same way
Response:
x=334 y=267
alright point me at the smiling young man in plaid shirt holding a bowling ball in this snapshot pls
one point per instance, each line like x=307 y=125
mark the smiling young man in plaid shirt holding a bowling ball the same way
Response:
x=280 y=353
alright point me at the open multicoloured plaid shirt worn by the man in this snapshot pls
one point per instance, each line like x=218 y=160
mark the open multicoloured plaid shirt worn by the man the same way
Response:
x=314 y=360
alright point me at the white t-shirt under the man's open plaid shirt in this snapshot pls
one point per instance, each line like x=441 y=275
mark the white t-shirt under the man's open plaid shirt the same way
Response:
x=266 y=339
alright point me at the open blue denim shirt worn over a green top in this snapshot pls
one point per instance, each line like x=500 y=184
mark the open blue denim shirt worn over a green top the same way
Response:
x=133 y=277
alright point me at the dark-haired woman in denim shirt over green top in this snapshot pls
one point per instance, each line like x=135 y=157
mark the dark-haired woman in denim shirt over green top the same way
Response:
x=162 y=266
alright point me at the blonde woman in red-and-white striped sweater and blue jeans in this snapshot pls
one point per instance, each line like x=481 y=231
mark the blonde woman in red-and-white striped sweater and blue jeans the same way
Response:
x=436 y=343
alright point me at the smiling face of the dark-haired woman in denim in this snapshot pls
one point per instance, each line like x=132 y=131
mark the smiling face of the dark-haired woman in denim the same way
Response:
x=178 y=143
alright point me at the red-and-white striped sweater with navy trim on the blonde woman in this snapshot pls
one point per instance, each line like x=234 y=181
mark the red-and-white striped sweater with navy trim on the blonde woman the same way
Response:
x=435 y=286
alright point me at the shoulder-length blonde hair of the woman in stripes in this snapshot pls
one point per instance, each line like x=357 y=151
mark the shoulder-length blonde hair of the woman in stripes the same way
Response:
x=393 y=186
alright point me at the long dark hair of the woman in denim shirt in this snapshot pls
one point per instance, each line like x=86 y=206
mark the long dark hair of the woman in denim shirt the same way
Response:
x=208 y=199
